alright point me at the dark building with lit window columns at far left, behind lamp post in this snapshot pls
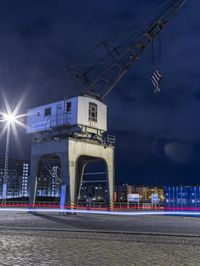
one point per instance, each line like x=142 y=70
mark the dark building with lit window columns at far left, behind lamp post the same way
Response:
x=18 y=178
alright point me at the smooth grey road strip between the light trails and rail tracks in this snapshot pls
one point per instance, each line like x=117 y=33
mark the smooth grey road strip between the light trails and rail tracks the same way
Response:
x=164 y=224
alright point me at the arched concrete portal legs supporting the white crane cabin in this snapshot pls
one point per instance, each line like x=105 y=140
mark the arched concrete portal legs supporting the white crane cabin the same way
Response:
x=74 y=154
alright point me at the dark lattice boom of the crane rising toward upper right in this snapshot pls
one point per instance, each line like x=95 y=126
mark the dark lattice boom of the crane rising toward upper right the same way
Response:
x=122 y=51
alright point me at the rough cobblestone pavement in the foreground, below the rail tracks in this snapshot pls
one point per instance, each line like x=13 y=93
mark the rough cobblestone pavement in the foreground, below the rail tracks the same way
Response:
x=61 y=249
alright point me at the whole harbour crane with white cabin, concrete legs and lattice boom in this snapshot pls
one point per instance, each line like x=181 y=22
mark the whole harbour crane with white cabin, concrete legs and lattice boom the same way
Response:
x=70 y=133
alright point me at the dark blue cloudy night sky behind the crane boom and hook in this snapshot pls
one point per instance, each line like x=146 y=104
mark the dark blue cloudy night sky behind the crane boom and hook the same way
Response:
x=158 y=136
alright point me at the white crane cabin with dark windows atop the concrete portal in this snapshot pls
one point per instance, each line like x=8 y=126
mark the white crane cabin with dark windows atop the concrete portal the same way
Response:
x=80 y=114
